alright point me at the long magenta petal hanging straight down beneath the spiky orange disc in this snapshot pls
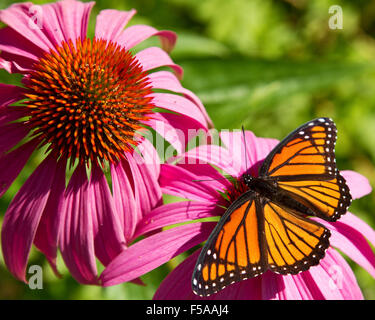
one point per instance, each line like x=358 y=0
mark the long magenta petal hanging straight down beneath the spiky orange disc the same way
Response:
x=77 y=234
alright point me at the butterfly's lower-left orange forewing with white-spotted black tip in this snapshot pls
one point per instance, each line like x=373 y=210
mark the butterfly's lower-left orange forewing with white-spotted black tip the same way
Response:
x=235 y=249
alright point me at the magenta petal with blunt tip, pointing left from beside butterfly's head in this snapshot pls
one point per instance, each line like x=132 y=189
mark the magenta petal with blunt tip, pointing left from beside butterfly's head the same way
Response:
x=186 y=185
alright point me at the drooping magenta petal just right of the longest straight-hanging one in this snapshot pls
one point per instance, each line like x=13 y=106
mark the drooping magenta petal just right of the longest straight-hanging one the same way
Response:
x=108 y=232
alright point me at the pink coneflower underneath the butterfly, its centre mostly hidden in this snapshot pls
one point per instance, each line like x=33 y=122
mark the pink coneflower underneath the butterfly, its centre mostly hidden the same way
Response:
x=204 y=186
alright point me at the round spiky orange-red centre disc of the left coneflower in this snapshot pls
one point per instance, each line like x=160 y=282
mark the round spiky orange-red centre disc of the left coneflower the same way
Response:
x=88 y=99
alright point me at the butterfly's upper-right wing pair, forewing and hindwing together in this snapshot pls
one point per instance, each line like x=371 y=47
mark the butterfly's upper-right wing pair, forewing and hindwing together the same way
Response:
x=304 y=165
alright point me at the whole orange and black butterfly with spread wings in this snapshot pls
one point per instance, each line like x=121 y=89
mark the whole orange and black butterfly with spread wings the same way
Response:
x=268 y=226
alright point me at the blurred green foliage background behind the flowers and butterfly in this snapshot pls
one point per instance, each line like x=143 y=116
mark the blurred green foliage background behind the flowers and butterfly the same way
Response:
x=267 y=65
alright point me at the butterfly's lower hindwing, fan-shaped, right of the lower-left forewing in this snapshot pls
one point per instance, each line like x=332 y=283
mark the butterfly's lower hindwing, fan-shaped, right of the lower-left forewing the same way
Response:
x=294 y=243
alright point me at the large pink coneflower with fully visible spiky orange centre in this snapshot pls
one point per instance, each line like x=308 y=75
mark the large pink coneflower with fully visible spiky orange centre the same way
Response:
x=83 y=103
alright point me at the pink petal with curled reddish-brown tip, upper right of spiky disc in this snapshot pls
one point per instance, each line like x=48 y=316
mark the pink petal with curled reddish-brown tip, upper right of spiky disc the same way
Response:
x=138 y=33
